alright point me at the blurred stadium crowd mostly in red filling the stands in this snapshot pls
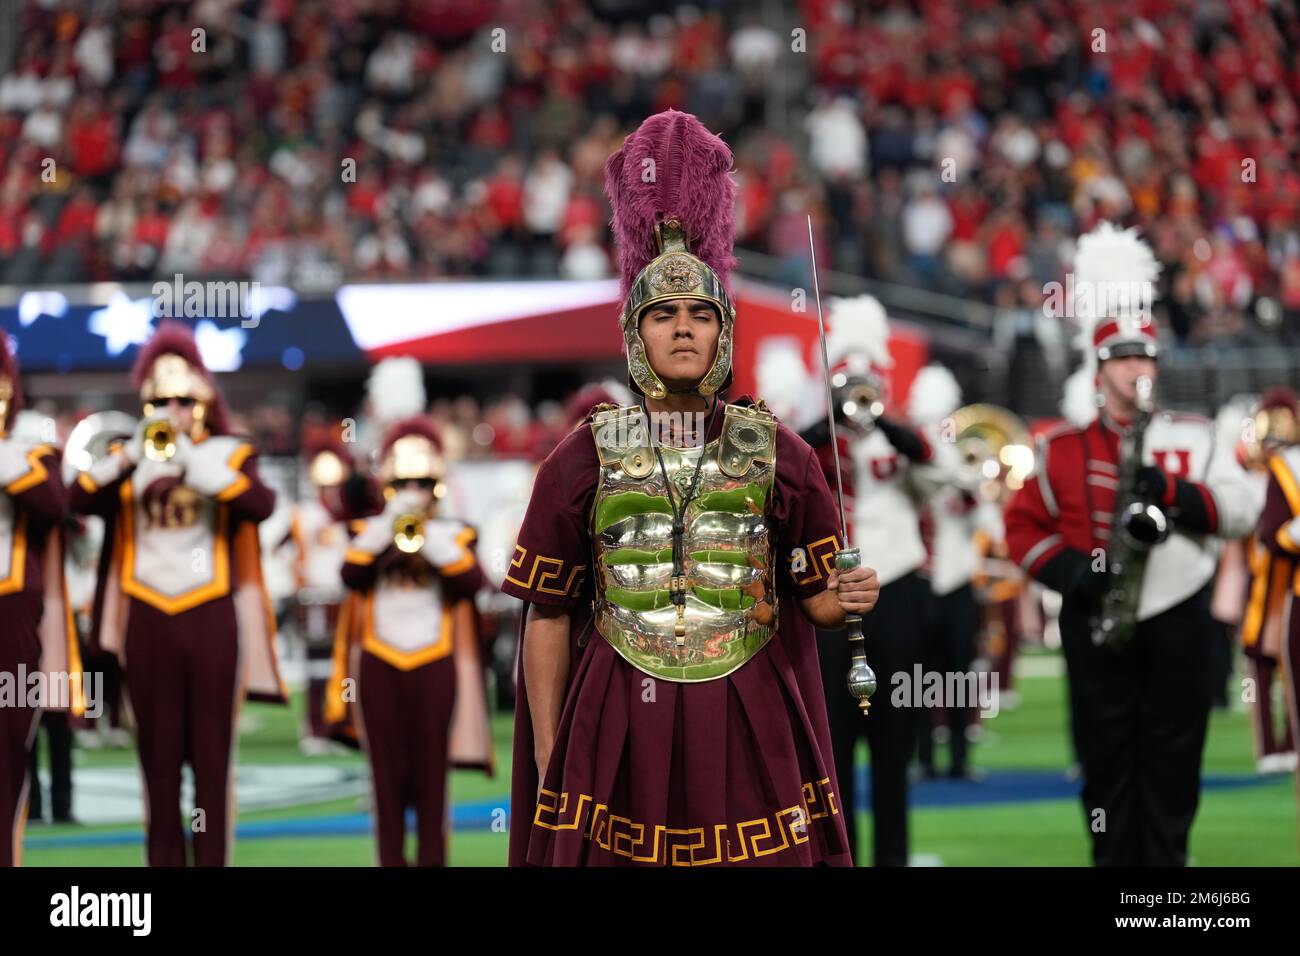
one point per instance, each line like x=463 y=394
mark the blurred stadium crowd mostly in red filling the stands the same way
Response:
x=955 y=145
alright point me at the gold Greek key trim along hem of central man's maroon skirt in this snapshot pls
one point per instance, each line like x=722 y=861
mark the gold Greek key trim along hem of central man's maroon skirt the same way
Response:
x=701 y=846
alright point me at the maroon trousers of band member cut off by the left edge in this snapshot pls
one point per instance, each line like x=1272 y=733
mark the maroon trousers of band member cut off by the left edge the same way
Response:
x=20 y=647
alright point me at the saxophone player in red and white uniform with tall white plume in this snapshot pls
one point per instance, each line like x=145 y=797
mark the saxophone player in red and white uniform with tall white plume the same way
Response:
x=1141 y=703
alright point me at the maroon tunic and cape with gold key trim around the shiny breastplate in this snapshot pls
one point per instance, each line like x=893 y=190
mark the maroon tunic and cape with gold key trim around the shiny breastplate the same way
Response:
x=735 y=771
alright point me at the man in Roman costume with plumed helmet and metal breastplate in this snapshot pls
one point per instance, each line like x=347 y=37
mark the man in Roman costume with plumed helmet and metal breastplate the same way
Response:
x=683 y=723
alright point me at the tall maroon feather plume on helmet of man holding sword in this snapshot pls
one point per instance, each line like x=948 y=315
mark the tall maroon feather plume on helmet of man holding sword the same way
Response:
x=692 y=183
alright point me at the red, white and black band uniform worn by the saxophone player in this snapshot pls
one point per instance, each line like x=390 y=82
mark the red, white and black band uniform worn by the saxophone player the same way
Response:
x=1139 y=715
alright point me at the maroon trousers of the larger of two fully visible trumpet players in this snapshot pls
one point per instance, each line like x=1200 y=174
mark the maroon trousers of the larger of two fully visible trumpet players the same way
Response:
x=183 y=673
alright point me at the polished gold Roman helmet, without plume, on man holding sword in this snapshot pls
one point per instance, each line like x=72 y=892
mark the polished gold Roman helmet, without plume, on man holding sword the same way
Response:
x=675 y=274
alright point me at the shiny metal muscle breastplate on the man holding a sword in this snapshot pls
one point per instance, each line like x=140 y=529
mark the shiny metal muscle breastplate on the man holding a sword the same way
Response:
x=730 y=605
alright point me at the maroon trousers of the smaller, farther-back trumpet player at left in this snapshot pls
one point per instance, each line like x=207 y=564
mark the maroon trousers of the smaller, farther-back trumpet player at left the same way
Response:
x=406 y=720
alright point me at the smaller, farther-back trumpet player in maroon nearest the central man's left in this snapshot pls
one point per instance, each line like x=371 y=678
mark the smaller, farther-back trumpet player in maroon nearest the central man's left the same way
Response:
x=408 y=650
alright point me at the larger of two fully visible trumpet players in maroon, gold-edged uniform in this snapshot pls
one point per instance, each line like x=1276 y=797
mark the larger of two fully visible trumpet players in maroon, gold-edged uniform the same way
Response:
x=180 y=599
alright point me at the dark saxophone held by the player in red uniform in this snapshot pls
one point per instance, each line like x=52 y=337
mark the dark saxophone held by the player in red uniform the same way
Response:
x=1138 y=526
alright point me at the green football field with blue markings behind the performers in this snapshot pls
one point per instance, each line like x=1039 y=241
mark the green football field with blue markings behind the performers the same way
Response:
x=1021 y=815
